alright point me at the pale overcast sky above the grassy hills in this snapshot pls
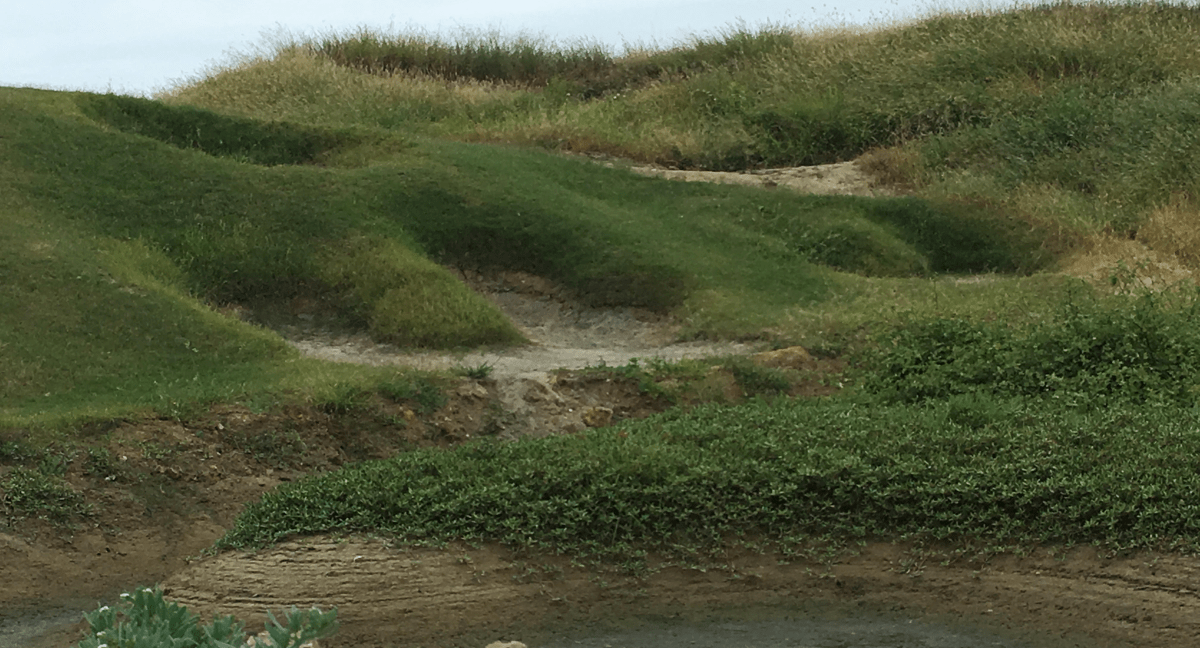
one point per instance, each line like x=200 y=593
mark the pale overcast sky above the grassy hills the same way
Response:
x=142 y=46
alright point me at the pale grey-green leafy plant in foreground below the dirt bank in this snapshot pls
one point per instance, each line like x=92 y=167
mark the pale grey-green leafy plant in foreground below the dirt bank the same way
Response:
x=145 y=620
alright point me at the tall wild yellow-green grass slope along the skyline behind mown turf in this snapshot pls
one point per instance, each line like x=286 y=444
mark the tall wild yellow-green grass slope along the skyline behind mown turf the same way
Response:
x=1077 y=115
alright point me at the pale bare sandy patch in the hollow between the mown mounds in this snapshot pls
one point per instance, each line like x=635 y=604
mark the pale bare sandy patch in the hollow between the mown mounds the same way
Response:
x=563 y=334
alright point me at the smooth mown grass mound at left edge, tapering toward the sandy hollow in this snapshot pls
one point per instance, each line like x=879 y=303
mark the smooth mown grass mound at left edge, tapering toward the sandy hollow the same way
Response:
x=86 y=320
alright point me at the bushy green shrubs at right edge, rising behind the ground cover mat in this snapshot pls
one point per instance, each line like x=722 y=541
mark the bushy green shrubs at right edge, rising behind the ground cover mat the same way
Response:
x=1093 y=353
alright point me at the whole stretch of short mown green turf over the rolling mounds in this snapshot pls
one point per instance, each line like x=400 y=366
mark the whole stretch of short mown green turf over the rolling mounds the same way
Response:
x=127 y=220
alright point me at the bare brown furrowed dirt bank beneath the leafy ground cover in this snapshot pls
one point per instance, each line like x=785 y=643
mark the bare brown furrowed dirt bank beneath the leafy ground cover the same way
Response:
x=471 y=597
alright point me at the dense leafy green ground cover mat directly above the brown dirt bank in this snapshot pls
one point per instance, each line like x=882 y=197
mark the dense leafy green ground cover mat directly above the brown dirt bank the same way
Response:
x=987 y=470
